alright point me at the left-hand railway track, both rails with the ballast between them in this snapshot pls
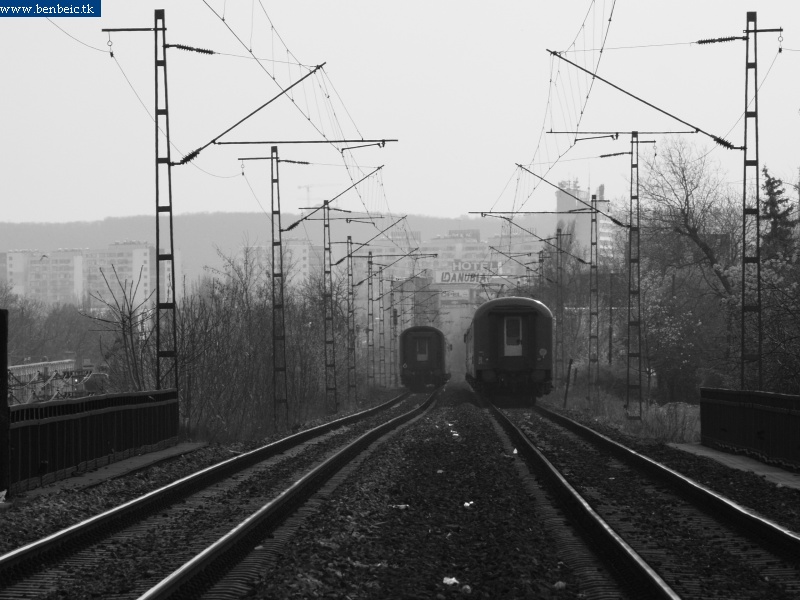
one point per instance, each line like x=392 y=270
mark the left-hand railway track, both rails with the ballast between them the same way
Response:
x=125 y=551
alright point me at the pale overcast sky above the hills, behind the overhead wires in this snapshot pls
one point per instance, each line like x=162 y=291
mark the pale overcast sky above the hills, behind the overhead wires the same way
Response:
x=466 y=87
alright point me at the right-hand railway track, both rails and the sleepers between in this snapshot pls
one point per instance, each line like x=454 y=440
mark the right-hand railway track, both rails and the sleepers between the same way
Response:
x=698 y=543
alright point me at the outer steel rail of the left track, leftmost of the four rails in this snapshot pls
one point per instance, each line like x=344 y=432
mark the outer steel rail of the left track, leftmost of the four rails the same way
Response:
x=14 y=564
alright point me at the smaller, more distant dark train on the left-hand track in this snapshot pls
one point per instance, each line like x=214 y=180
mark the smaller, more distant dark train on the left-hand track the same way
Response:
x=423 y=358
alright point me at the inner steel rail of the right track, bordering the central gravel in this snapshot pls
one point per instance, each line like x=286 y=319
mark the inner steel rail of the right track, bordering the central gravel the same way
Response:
x=632 y=571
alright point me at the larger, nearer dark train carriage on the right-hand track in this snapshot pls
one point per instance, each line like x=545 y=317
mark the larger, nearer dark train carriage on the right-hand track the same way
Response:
x=510 y=348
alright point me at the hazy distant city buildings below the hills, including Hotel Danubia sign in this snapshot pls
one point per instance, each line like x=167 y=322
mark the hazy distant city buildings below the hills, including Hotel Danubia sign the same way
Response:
x=457 y=259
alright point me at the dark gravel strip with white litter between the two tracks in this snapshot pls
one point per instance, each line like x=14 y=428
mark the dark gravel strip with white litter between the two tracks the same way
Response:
x=436 y=511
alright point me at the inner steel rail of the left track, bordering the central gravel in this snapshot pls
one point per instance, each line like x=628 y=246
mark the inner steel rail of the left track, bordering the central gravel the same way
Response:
x=195 y=576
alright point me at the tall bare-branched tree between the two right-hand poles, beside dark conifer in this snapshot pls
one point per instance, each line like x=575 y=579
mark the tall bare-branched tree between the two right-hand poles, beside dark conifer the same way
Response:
x=690 y=235
